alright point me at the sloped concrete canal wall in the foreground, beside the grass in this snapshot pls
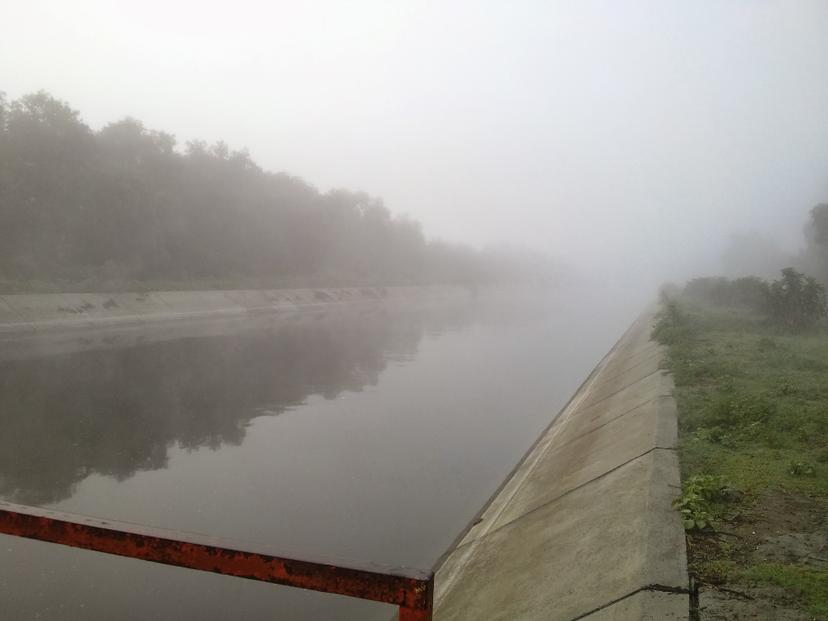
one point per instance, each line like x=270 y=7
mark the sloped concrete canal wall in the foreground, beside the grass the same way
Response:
x=584 y=528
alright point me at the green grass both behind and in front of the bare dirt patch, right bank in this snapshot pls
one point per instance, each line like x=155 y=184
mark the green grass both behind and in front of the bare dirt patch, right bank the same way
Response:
x=753 y=412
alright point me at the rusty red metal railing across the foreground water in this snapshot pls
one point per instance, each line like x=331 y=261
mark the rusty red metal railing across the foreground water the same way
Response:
x=411 y=590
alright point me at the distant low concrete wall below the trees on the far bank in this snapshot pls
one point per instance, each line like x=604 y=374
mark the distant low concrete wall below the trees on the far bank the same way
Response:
x=47 y=311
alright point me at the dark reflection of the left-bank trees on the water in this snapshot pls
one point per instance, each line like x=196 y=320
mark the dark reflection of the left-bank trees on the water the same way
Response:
x=119 y=404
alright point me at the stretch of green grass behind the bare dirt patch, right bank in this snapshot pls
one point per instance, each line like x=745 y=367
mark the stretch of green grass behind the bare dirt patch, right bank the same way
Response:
x=752 y=400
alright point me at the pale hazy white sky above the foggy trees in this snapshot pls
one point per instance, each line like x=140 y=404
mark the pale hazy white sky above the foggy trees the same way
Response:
x=620 y=134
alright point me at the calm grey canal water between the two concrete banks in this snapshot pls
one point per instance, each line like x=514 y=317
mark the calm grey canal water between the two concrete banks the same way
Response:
x=373 y=432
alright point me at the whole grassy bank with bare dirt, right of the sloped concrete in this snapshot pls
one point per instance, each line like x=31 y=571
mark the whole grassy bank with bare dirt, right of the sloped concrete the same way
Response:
x=753 y=431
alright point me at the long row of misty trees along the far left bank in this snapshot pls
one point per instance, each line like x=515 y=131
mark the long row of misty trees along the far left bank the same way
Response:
x=124 y=205
